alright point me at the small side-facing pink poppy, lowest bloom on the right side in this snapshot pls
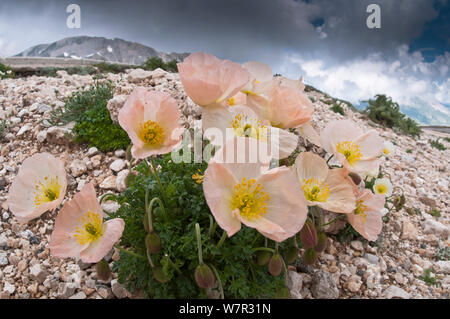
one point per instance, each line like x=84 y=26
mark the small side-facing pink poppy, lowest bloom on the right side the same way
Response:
x=366 y=219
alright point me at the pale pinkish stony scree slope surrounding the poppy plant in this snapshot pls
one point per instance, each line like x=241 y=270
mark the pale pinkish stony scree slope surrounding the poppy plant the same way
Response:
x=391 y=269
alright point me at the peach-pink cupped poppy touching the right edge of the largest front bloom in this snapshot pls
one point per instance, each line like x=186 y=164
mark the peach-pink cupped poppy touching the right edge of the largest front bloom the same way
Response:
x=328 y=189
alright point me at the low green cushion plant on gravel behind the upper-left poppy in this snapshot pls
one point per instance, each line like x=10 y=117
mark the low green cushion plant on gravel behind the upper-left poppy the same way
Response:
x=93 y=124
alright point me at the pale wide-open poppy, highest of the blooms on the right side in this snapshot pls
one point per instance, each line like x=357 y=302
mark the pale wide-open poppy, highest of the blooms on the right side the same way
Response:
x=356 y=151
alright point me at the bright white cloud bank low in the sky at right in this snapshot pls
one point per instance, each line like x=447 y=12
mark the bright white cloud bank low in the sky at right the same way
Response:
x=415 y=84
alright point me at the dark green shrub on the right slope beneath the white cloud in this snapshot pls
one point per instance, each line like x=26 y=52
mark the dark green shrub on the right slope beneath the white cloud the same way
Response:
x=384 y=111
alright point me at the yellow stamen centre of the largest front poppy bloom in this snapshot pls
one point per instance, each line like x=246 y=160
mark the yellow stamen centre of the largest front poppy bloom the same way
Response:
x=250 y=199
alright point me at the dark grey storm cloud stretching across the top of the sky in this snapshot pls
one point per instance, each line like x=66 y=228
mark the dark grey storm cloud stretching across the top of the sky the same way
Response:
x=236 y=29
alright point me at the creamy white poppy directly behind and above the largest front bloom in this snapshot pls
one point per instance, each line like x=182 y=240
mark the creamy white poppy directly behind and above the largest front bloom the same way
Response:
x=242 y=121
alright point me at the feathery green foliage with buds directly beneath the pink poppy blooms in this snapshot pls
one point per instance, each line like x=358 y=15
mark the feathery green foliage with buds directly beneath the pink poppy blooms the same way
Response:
x=234 y=262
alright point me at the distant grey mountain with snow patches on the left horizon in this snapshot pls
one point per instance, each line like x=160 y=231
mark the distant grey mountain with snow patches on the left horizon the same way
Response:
x=99 y=48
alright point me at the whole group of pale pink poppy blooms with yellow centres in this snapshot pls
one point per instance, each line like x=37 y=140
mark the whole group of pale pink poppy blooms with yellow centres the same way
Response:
x=253 y=104
